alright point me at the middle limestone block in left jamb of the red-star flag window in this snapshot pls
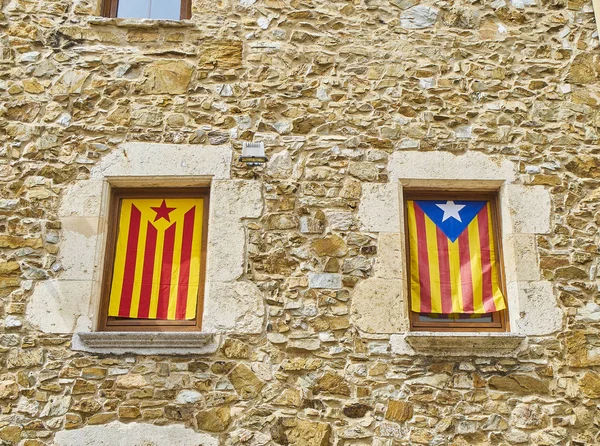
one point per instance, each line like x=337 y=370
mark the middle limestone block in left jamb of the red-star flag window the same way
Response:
x=78 y=247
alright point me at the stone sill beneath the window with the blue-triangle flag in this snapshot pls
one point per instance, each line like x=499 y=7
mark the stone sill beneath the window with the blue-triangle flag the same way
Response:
x=464 y=344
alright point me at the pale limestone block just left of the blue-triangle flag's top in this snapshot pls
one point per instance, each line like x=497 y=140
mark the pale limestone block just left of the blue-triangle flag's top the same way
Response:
x=379 y=209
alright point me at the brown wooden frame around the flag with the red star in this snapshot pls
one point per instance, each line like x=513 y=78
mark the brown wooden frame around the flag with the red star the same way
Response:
x=106 y=323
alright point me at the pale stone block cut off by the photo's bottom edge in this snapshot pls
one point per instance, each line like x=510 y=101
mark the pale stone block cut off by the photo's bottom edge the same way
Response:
x=133 y=434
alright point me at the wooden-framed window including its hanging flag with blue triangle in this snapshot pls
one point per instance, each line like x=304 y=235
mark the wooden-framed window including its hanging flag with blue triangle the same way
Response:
x=456 y=279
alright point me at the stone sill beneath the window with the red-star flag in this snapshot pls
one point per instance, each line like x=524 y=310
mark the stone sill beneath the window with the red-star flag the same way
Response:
x=146 y=343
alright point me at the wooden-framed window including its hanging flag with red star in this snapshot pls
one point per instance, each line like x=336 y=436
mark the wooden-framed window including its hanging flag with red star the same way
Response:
x=156 y=256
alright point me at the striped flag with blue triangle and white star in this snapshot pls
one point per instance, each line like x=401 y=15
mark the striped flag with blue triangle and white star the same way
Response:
x=453 y=264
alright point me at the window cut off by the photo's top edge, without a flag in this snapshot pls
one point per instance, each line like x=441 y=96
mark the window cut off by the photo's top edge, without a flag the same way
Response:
x=148 y=9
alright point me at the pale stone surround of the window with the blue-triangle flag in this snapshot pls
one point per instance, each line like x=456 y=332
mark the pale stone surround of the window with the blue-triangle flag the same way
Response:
x=525 y=213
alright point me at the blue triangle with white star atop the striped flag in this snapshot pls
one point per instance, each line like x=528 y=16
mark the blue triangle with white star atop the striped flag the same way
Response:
x=451 y=226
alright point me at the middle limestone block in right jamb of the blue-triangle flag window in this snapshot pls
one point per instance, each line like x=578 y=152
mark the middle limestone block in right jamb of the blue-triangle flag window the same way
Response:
x=521 y=257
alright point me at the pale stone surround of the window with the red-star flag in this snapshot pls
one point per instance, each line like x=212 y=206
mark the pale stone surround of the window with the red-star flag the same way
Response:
x=70 y=303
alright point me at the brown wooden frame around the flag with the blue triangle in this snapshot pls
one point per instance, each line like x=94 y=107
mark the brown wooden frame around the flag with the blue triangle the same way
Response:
x=500 y=320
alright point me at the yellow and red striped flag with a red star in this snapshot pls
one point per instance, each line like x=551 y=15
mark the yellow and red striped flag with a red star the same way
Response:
x=156 y=272
